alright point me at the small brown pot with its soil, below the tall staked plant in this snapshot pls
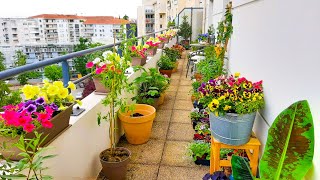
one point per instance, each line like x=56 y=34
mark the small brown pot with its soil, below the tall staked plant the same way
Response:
x=114 y=166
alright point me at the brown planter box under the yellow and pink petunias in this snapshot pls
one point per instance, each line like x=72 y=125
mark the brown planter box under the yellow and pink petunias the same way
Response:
x=60 y=122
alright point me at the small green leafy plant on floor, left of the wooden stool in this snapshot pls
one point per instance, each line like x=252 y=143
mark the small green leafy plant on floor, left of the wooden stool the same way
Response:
x=199 y=151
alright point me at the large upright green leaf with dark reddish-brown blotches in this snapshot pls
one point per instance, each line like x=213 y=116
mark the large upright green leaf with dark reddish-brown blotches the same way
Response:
x=290 y=145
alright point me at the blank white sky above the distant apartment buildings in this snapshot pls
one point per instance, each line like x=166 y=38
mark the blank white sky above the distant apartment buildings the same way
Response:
x=25 y=8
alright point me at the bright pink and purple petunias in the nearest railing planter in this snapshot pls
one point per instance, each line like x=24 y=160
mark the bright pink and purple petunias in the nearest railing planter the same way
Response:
x=28 y=116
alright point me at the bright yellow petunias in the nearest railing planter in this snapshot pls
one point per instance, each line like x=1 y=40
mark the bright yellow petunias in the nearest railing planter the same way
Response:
x=51 y=93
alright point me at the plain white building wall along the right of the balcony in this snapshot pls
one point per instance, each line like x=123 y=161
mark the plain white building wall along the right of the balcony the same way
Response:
x=278 y=42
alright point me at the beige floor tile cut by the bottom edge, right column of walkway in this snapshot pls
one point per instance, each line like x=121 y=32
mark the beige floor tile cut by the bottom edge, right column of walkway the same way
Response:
x=182 y=173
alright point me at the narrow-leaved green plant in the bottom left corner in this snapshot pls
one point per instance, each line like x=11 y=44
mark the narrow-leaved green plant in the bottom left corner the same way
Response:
x=32 y=161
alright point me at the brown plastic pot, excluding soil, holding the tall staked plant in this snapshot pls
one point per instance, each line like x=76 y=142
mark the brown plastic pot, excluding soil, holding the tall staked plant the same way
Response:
x=115 y=170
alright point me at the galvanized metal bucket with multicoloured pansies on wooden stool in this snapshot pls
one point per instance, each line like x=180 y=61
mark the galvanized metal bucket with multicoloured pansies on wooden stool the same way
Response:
x=233 y=102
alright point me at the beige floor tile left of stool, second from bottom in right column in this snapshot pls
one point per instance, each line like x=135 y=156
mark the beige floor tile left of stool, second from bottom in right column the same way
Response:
x=175 y=154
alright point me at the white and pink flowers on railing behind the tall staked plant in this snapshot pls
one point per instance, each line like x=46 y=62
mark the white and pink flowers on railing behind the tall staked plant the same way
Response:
x=105 y=63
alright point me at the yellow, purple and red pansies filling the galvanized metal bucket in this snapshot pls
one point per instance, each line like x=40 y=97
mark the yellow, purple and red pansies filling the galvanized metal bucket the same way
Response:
x=232 y=94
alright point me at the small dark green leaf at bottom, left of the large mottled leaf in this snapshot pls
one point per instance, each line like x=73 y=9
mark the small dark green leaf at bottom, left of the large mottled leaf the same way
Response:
x=241 y=168
